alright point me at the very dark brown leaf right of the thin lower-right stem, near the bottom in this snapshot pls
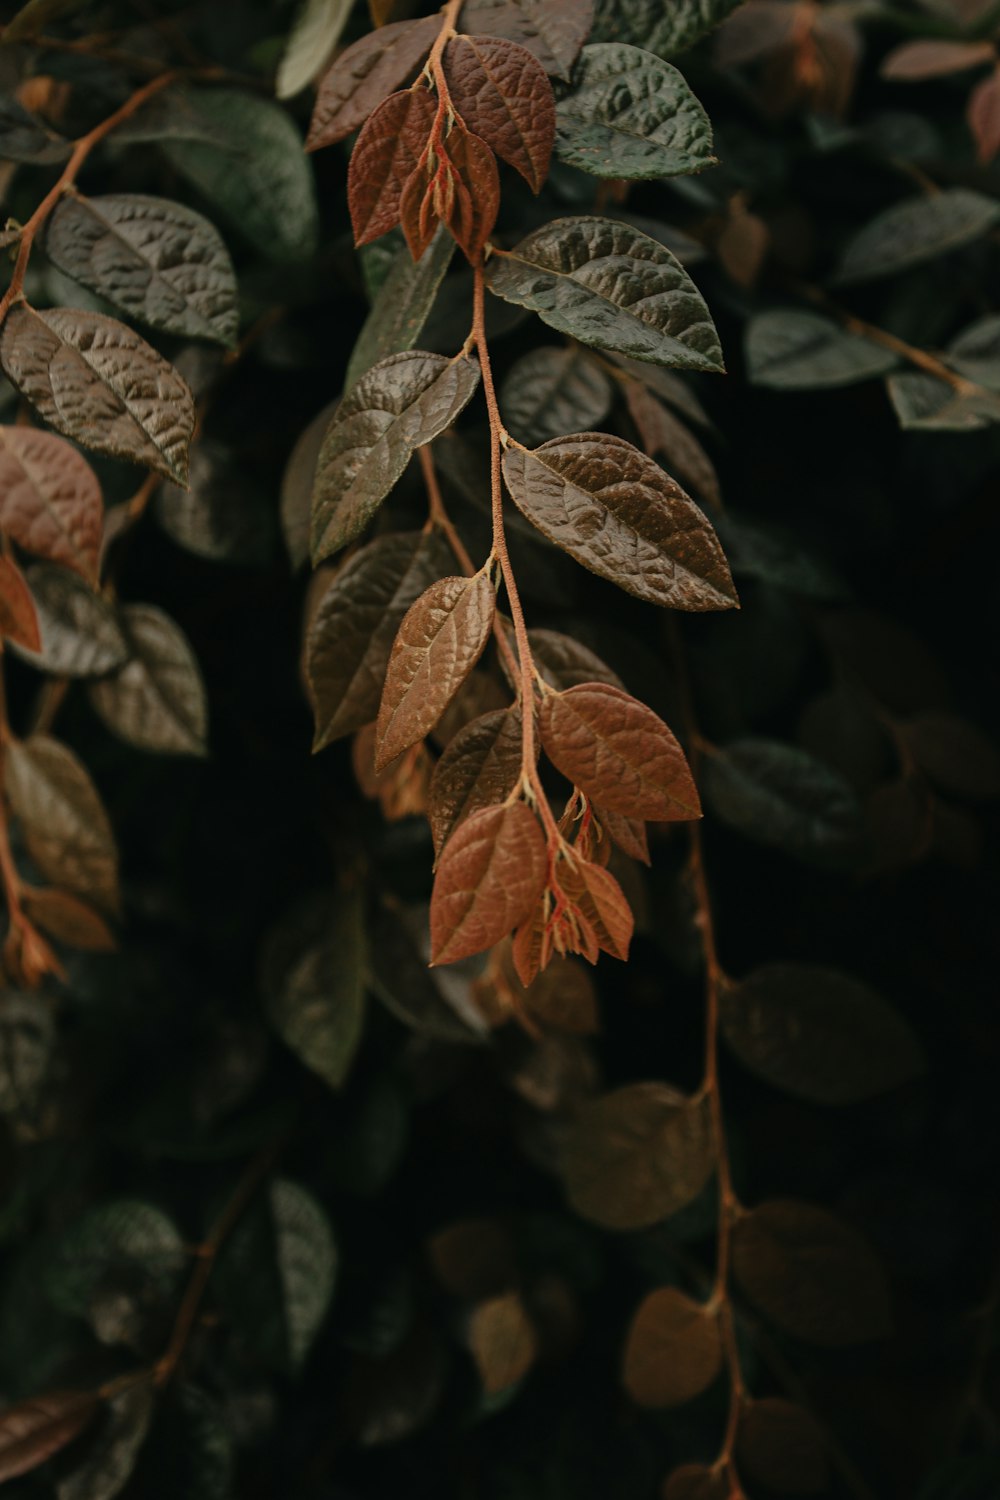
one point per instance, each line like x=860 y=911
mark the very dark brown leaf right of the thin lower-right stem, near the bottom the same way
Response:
x=812 y=1274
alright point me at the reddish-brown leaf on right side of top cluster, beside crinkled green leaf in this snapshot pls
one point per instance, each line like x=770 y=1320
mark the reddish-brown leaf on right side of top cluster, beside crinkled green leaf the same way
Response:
x=503 y=95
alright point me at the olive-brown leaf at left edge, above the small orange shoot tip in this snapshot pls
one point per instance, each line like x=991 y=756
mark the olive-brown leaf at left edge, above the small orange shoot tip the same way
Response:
x=65 y=824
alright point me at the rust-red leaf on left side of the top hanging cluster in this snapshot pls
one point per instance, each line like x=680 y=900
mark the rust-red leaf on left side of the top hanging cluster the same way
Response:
x=385 y=157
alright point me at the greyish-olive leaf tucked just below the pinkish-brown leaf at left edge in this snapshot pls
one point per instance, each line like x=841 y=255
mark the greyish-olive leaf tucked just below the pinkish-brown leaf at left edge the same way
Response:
x=80 y=631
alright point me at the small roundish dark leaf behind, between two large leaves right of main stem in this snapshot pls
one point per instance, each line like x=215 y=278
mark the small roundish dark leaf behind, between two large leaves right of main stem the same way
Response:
x=551 y=392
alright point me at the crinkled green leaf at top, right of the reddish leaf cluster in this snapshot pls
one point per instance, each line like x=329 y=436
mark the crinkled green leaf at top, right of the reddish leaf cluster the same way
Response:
x=632 y=116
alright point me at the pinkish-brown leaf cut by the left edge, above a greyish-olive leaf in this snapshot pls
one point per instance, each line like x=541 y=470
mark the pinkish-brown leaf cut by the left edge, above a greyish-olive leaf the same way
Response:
x=50 y=499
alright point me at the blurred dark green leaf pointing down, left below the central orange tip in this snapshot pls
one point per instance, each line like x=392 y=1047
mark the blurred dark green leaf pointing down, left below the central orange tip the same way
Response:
x=319 y=1010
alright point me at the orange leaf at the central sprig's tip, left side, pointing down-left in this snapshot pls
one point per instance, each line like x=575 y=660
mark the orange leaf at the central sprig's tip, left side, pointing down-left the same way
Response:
x=491 y=875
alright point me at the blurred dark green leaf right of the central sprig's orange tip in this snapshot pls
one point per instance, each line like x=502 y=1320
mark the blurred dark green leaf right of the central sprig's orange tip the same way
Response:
x=783 y=797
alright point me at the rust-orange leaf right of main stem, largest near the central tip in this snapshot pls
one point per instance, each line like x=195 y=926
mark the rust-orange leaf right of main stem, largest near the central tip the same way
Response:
x=618 y=752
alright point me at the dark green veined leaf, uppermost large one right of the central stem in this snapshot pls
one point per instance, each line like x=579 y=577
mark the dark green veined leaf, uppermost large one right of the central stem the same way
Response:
x=609 y=286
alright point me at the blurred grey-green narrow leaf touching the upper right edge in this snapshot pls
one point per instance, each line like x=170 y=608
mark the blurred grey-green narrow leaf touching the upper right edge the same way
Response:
x=915 y=232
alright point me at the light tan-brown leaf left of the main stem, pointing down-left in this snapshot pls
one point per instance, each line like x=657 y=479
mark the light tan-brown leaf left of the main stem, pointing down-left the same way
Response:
x=439 y=644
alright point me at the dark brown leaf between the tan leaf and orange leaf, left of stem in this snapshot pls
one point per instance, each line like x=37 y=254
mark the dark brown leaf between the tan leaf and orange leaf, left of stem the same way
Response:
x=481 y=767
